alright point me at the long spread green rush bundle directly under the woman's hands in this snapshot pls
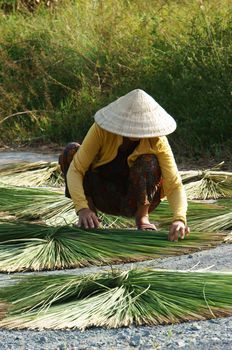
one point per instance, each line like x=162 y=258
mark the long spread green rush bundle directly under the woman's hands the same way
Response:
x=26 y=246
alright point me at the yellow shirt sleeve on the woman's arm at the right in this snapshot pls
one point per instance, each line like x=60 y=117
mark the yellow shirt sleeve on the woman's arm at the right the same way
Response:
x=172 y=183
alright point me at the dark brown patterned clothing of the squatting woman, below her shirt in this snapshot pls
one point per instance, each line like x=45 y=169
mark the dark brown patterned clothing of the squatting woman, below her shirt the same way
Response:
x=117 y=189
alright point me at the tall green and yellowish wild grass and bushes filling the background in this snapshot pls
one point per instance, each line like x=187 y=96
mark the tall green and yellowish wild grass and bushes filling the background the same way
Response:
x=59 y=65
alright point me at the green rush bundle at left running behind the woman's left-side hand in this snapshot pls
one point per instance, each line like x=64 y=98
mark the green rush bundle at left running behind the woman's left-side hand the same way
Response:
x=48 y=206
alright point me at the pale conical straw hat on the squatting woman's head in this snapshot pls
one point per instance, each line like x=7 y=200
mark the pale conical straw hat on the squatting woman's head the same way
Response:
x=135 y=114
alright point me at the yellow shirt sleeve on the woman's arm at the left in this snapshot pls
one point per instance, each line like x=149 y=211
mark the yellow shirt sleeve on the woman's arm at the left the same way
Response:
x=81 y=163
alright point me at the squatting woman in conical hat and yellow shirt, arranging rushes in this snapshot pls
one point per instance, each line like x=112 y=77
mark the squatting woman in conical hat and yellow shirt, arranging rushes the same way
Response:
x=125 y=165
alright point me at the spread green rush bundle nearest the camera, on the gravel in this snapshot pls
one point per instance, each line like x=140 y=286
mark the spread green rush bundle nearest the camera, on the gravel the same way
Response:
x=116 y=298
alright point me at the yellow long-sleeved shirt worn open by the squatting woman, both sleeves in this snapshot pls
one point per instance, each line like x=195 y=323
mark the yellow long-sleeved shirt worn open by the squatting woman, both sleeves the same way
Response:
x=100 y=147
